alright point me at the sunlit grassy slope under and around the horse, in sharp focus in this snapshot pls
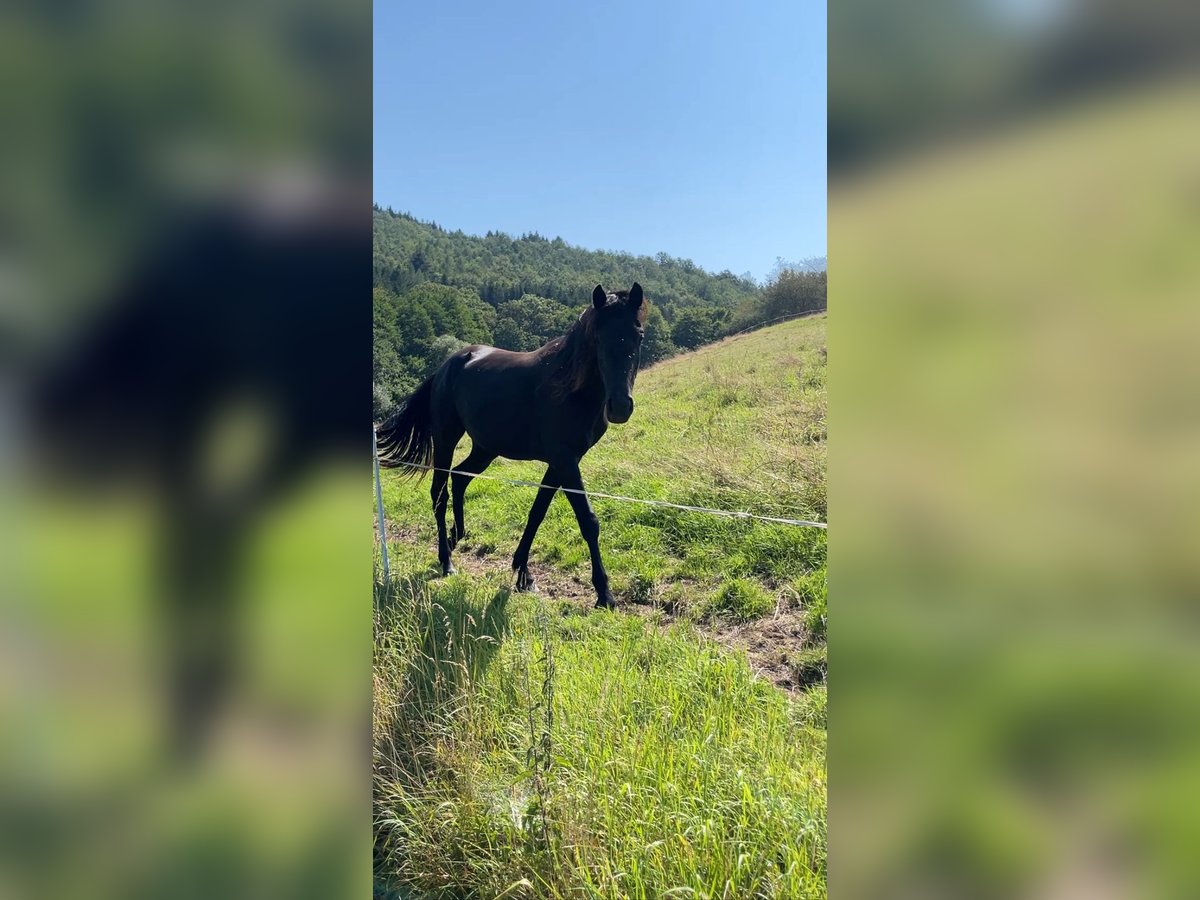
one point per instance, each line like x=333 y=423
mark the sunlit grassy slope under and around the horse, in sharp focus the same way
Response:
x=530 y=745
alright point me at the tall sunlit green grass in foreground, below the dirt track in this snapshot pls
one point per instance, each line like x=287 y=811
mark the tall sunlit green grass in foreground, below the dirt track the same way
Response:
x=527 y=749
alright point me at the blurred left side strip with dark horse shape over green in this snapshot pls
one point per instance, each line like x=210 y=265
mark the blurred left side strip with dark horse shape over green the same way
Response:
x=176 y=146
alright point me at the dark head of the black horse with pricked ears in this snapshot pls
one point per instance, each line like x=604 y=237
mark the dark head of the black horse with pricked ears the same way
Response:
x=619 y=343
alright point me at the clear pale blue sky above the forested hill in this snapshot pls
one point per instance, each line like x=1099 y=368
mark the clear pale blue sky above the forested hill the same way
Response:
x=698 y=129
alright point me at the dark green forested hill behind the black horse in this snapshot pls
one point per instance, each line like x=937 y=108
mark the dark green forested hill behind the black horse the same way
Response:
x=437 y=291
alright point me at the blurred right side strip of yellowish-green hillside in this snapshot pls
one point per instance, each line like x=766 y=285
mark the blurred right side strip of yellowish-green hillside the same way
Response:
x=1015 y=232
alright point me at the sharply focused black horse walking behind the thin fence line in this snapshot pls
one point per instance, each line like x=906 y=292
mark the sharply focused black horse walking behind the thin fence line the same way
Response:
x=553 y=405
